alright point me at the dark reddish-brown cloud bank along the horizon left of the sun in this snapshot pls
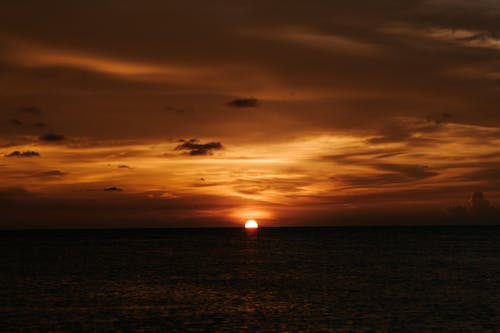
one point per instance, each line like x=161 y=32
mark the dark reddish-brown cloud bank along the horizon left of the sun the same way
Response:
x=110 y=209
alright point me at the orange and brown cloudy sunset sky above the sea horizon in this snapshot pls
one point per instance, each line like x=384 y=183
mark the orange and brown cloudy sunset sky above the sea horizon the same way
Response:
x=298 y=113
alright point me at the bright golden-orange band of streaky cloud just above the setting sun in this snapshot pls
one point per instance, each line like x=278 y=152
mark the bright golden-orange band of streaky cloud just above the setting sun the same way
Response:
x=339 y=172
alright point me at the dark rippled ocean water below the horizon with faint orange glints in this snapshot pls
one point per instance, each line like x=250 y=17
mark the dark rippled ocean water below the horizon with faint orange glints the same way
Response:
x=426 y=279
